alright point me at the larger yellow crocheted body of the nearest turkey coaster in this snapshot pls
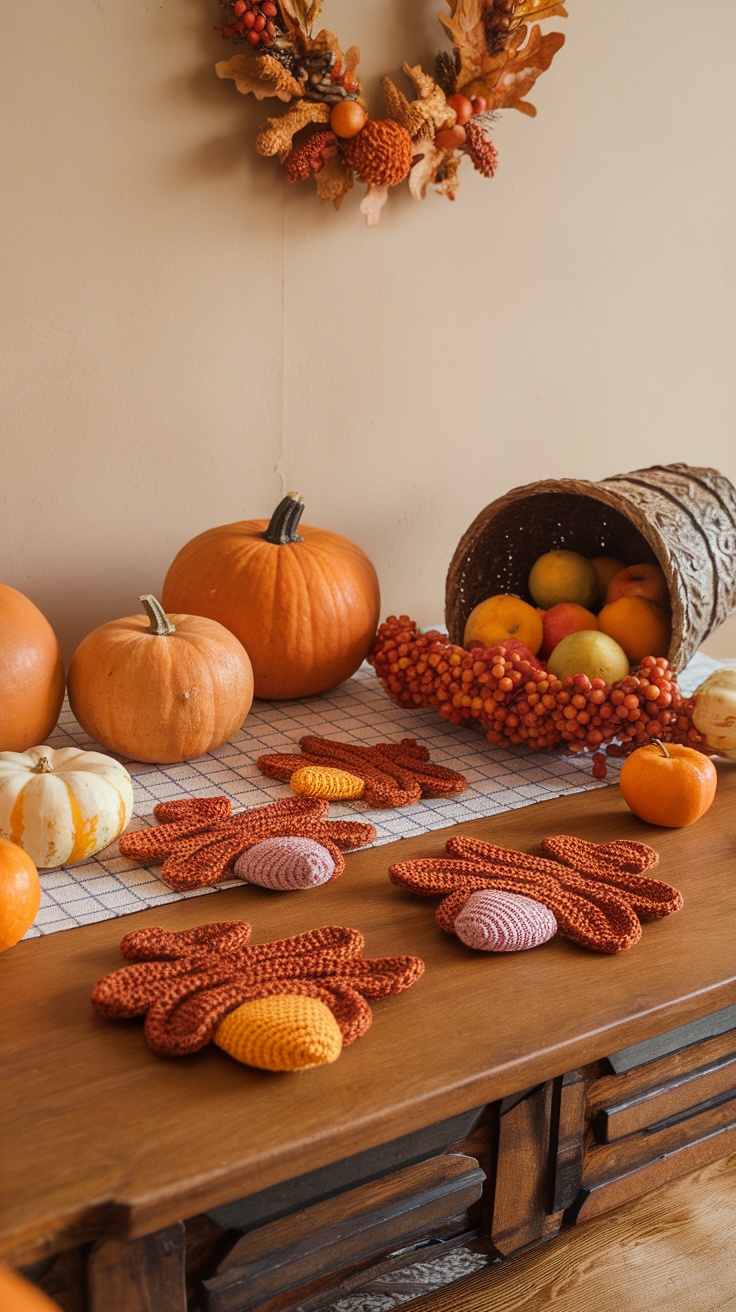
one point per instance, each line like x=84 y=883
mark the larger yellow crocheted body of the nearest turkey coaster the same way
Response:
x=281 y=1033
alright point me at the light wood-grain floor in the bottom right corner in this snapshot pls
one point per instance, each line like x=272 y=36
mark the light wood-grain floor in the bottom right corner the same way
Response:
x=671 y=1252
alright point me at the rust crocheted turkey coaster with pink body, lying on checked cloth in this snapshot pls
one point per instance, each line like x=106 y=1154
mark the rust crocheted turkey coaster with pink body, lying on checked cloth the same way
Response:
x=201 y=840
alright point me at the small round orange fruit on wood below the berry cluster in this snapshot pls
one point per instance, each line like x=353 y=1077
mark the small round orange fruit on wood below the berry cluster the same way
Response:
x=671 y=787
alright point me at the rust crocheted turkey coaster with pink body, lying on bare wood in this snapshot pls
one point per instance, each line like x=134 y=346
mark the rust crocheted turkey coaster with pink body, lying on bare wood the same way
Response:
x=602 y=910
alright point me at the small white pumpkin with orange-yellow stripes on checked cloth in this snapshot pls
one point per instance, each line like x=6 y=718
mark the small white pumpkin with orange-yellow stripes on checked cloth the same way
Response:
x=62 y=806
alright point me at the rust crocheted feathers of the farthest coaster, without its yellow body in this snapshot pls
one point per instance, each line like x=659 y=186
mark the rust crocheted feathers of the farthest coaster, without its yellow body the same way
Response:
x=394 y=775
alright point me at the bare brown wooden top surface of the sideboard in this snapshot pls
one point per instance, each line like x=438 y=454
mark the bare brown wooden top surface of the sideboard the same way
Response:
x=100 y=1137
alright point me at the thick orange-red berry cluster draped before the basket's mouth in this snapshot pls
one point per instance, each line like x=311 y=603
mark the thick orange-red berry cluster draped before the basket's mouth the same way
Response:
x=518 y=701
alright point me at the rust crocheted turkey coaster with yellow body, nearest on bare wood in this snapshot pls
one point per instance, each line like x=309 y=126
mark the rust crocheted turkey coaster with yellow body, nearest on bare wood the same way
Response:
x=287 y=1006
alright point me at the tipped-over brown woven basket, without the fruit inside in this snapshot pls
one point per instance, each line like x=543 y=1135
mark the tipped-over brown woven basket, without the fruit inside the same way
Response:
x=675 y=515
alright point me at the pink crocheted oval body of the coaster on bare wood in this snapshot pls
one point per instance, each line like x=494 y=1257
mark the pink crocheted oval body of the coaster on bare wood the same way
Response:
x=495 y=922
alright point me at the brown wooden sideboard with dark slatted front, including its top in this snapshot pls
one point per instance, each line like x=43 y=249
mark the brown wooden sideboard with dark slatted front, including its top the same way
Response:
x=485 y=1104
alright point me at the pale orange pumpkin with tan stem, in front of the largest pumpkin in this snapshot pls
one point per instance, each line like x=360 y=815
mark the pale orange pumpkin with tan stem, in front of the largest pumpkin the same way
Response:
x=161 y=688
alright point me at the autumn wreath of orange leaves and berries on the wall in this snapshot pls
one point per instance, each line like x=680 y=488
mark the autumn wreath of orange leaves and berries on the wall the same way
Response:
x=326 y=132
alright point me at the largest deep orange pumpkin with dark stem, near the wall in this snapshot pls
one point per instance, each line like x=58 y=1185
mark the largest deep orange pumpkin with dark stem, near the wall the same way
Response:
x=305 y=605
